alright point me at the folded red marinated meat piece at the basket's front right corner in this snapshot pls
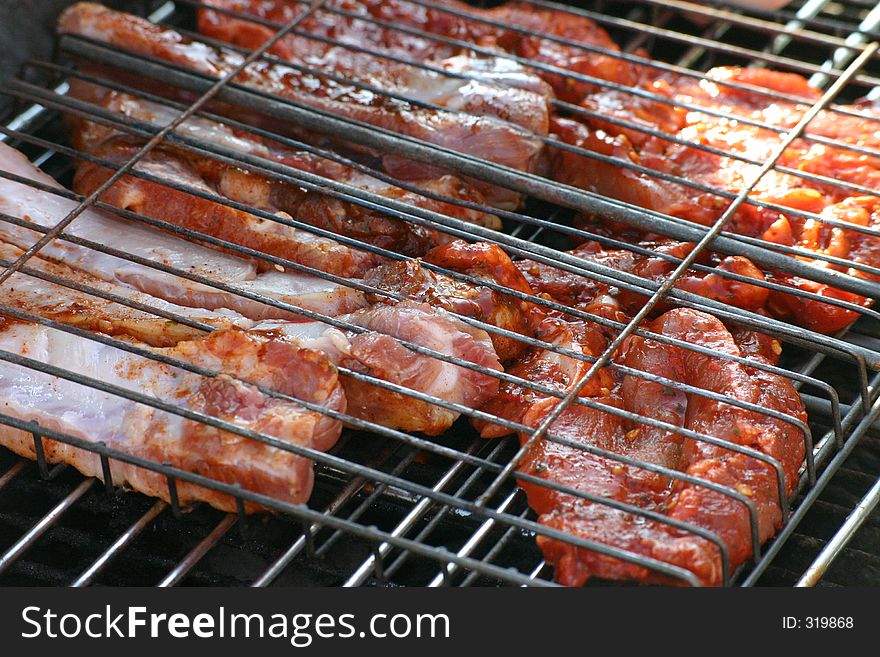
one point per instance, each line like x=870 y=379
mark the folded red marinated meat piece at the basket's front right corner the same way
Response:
x=581 y=471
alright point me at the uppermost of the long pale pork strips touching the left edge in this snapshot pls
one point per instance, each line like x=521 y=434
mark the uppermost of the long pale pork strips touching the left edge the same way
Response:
x=46 y=208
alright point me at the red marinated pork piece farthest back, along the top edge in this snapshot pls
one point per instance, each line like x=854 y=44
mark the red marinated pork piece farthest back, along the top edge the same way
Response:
x=432 y=20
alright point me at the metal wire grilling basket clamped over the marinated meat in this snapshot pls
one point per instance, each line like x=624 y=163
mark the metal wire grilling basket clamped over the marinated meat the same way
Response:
x=471 y=482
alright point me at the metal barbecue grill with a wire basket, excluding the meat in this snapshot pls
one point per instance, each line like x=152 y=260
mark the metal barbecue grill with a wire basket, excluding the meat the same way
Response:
x=395 y=508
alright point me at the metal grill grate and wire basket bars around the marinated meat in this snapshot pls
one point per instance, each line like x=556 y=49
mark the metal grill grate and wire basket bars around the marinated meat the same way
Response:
x=412 y=510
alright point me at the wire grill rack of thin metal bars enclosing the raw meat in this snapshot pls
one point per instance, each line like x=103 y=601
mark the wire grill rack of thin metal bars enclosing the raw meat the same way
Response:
x=391 y=506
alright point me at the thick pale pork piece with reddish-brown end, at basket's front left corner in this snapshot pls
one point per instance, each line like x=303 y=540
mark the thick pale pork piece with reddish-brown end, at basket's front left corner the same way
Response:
x=142 y=431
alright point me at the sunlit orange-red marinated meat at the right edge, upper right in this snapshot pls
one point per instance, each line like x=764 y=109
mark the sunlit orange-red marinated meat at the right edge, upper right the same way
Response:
x=727 y=175
